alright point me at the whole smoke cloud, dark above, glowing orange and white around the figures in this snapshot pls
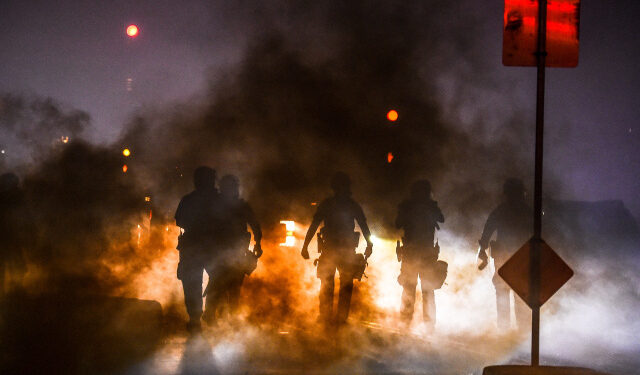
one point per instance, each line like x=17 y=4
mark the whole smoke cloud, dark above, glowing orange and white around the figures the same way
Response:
x=310 y=97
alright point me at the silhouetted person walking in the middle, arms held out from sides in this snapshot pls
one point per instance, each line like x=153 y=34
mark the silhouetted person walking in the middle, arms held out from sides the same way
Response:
x=337 y=242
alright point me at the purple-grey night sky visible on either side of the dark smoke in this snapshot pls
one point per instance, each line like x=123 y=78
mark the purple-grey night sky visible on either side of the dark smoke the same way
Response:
x=78 y=54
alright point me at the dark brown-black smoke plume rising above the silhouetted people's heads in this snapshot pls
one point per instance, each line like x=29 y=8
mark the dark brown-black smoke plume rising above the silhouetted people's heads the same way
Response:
x=302 y=105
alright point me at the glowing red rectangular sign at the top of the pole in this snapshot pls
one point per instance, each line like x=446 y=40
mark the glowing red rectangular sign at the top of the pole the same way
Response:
x=520 y=33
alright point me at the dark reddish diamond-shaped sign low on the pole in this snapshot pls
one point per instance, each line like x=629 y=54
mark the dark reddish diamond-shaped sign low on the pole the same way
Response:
x=554 y=272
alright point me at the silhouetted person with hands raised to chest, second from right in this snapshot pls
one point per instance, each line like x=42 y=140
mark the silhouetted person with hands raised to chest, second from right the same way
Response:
x=419 y=216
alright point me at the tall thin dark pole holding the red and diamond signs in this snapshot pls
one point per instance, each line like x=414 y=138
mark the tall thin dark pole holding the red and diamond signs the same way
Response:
x=534 y=273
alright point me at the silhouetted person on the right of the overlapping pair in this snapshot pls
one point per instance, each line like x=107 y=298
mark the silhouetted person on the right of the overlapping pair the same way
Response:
x=232 y=260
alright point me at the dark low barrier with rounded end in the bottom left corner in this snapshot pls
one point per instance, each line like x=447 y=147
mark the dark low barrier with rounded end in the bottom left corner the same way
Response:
x=71 y=334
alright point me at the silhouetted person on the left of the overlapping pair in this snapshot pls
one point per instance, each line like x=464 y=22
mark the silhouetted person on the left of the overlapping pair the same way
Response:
x=197 y=244
